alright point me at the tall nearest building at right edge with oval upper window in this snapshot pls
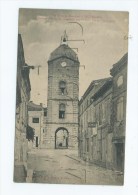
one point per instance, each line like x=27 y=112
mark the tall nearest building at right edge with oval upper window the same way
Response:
x=119 y=73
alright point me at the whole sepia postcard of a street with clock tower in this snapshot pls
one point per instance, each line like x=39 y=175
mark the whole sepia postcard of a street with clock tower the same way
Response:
x=71 y=96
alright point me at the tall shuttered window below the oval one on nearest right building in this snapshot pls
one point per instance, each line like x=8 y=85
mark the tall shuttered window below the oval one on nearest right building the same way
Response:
x=120 y=109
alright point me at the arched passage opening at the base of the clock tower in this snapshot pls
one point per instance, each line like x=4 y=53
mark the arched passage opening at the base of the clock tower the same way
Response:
x=61 y=138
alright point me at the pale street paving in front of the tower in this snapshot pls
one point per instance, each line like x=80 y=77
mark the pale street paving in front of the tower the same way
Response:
x=64 y=167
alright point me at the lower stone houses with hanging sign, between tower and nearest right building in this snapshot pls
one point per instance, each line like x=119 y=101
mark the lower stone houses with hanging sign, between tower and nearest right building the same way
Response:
x=95 y=136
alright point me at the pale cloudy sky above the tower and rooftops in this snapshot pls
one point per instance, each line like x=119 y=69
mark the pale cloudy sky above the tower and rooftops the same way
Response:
x=105 y=42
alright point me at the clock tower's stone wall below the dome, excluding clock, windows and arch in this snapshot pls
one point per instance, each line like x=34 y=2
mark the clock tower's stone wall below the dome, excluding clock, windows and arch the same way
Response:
x=70 y=75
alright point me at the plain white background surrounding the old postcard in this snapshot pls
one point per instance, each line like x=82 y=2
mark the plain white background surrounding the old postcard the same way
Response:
x=8 y=63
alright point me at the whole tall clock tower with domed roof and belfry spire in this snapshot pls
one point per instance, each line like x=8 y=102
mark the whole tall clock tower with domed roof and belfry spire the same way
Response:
x=62 y=102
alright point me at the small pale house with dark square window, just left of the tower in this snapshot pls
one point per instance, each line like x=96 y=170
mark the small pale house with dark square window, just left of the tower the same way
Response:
x=37 y=120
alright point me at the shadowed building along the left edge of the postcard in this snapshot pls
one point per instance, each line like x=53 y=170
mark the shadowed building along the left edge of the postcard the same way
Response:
x=22 y=97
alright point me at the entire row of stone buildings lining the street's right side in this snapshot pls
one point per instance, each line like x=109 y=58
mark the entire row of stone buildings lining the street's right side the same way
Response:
x=102 y=119
